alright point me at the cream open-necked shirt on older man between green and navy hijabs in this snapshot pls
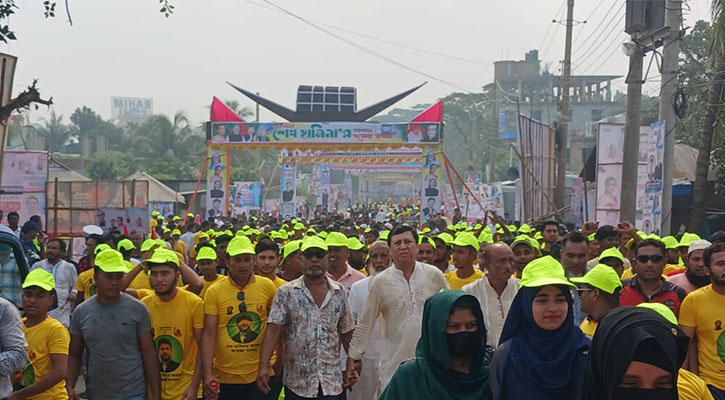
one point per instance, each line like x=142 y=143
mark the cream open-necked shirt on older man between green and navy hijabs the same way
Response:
x=495 y=308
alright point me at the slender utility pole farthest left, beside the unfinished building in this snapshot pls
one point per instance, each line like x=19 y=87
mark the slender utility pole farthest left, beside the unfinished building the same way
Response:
x=564 y=124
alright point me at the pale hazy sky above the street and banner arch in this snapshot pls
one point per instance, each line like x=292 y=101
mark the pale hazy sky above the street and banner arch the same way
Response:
x=127 y=48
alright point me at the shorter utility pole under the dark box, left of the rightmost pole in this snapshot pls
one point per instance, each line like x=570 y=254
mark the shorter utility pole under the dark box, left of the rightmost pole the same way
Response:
x=633 y=119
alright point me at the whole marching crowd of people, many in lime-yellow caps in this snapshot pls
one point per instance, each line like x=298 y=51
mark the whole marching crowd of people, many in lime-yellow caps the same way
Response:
x=340 y=307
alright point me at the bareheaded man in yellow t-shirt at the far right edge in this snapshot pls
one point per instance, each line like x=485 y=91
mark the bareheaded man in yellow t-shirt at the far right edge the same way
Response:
x=702 y=317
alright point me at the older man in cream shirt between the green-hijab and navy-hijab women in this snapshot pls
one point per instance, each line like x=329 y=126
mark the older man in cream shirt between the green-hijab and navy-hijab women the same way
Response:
x=496 y=290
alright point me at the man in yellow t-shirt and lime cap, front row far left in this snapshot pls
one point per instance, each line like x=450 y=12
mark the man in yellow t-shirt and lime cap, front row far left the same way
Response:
x=43 y=377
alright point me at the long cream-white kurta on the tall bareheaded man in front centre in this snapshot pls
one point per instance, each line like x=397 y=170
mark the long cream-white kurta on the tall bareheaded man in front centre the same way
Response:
x=398 y=304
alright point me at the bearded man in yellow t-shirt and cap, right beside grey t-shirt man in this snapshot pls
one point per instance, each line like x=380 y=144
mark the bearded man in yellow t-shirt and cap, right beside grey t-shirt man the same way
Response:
x=177 y=319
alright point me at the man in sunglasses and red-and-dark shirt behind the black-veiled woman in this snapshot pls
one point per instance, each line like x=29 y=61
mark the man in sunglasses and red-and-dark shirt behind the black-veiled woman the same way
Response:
x=649 y=286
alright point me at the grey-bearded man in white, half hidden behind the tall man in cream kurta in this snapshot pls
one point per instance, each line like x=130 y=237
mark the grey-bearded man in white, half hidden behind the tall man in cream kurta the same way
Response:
x=378 y=262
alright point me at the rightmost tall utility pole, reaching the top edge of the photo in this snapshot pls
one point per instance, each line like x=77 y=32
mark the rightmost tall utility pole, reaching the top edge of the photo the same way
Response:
x=668 y=88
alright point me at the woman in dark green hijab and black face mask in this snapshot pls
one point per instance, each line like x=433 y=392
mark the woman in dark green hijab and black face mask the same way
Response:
x=452 y=359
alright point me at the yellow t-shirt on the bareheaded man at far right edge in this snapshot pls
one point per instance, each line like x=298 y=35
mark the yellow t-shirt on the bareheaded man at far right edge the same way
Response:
x=703 y=310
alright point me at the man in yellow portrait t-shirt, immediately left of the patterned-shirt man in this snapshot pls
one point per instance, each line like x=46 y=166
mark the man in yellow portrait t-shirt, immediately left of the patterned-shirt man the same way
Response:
x=235 y=321
